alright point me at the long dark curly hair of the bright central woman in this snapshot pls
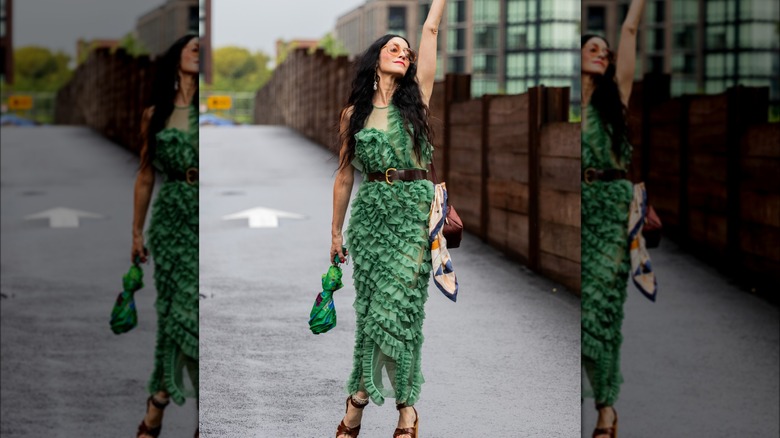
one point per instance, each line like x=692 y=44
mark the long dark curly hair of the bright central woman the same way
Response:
x=407 y=99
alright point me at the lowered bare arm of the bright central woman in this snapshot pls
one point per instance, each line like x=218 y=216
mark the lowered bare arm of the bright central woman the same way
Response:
x=342 y=189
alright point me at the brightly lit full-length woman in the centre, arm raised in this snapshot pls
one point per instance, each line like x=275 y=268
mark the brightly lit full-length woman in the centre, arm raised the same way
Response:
x=385 y=134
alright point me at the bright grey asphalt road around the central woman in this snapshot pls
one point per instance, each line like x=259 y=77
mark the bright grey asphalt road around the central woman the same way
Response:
x=501 y=362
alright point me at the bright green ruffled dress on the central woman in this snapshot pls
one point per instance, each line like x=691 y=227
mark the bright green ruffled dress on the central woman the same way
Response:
x=387 y=238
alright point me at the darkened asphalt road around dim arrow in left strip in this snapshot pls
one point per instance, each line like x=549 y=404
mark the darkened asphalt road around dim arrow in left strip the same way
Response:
x=64 y=373
